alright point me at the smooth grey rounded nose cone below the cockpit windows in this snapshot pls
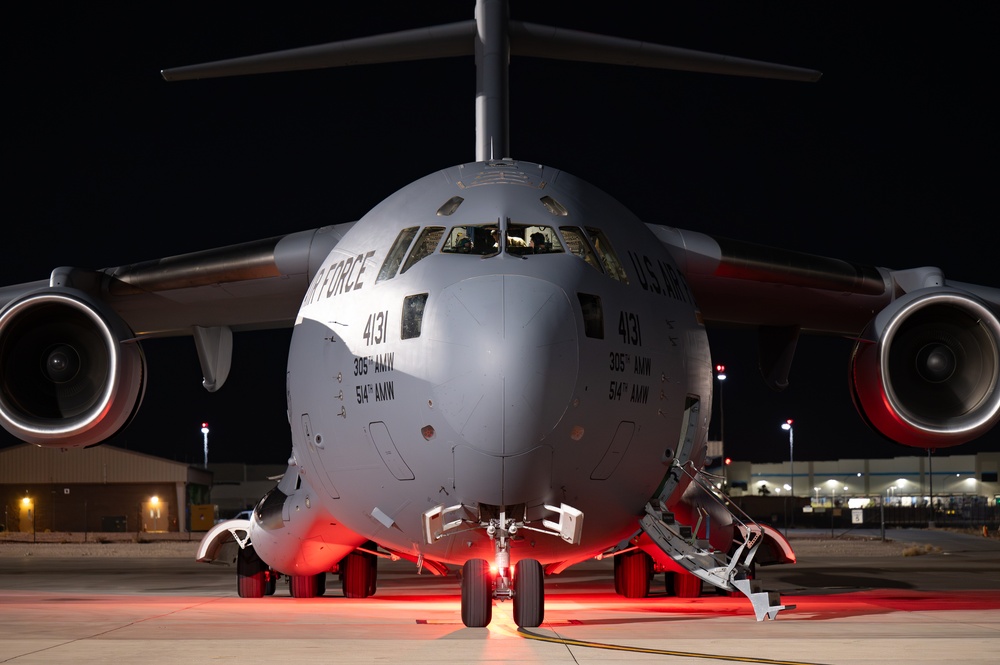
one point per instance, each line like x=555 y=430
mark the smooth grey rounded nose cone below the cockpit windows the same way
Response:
x=506 y=356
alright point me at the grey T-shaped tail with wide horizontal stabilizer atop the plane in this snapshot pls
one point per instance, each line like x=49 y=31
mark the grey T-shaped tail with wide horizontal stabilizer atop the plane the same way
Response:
x=492 y=38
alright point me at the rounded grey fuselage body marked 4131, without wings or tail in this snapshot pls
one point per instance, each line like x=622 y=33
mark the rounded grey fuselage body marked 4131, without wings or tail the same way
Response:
x=565 y=365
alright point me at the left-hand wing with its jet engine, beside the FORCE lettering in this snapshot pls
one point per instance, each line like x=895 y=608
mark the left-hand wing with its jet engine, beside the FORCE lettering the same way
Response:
x=81 y=327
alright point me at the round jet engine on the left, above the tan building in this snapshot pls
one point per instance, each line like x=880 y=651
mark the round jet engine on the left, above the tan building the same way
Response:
x=71 y=374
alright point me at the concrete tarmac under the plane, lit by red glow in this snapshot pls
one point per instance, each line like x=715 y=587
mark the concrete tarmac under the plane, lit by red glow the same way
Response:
x=939 y=607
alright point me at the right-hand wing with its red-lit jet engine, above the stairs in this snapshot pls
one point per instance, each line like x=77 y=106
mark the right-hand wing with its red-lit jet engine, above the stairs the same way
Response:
x=923 y=369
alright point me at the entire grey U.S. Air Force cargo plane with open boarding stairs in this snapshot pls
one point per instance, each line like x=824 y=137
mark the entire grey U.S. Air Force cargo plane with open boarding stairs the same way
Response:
x=499 y=367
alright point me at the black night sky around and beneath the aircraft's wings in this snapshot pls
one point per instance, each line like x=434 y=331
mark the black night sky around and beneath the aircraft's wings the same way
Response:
x=889 y=160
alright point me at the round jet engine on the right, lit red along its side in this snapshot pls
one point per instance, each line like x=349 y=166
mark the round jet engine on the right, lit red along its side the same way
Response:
x=926 y=371
